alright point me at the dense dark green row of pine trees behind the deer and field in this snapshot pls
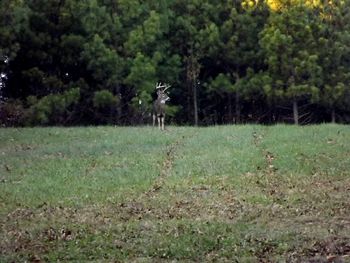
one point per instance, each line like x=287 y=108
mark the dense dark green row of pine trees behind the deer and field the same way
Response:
x=69 y=62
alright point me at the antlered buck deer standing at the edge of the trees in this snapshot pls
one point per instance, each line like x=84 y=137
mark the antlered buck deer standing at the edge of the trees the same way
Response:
x=159 y=105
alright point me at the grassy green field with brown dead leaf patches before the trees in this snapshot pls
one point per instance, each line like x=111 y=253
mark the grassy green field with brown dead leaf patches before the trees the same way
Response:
x=228 y=193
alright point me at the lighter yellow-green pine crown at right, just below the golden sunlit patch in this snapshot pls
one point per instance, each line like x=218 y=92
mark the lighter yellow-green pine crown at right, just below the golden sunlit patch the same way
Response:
x=289 y=44
